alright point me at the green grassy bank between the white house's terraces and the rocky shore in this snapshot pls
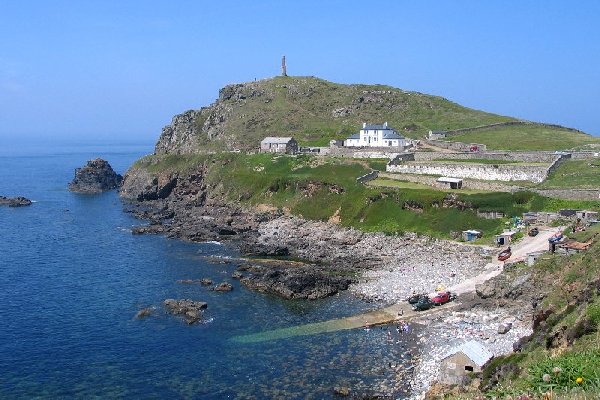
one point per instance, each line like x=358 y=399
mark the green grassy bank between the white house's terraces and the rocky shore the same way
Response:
x=320 y=188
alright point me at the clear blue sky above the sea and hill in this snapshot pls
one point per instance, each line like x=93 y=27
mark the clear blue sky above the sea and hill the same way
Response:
x=119 y=70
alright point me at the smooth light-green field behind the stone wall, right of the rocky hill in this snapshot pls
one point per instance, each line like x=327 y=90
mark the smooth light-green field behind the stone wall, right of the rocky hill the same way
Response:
x=527 y=138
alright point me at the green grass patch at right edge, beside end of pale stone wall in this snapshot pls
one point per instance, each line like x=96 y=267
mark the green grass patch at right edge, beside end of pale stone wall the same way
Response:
x=581 y=174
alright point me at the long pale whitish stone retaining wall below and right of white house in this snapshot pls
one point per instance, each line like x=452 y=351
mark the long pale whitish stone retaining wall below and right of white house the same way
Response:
x=500 y=172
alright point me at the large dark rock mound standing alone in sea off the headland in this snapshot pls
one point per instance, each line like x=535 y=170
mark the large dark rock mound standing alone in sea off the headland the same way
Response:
x=95 y=177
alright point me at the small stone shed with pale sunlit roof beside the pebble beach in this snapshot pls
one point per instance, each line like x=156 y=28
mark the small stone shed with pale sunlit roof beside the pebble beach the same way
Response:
x=469 y=357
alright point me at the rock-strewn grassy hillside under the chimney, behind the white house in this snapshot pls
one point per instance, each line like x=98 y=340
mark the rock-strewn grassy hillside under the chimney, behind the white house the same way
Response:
x=303 y=107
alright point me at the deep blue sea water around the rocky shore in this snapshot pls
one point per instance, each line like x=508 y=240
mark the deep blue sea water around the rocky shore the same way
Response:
x=72 y=277
